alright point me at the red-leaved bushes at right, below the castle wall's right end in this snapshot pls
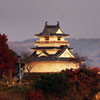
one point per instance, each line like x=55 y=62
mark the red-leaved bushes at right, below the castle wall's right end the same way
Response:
x=83 y=77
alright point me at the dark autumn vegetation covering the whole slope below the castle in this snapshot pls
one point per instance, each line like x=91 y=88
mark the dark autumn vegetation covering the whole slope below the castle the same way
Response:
x=80 y=84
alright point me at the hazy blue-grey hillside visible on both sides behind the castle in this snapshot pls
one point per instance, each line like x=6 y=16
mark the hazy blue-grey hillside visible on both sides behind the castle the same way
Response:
x=89 y=48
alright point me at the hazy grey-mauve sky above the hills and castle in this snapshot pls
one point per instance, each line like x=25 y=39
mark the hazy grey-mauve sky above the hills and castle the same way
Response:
x=21 y=19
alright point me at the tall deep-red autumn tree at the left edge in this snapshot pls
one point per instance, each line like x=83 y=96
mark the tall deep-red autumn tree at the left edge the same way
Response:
x=7 y=59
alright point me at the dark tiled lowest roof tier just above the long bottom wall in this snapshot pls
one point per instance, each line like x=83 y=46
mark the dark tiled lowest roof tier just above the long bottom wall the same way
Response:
x=54 y=57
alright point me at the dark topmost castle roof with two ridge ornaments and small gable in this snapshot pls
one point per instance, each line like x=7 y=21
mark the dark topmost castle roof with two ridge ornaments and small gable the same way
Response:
x=50 y=30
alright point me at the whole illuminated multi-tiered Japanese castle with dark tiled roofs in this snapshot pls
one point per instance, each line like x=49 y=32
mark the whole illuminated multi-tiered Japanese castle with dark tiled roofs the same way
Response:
x=52 y=53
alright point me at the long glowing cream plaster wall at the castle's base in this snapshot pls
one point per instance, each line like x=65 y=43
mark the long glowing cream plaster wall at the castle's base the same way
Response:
x=52 y=66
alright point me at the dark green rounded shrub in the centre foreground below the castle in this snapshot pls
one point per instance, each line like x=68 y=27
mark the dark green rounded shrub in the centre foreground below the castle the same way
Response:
x=52 y=83
